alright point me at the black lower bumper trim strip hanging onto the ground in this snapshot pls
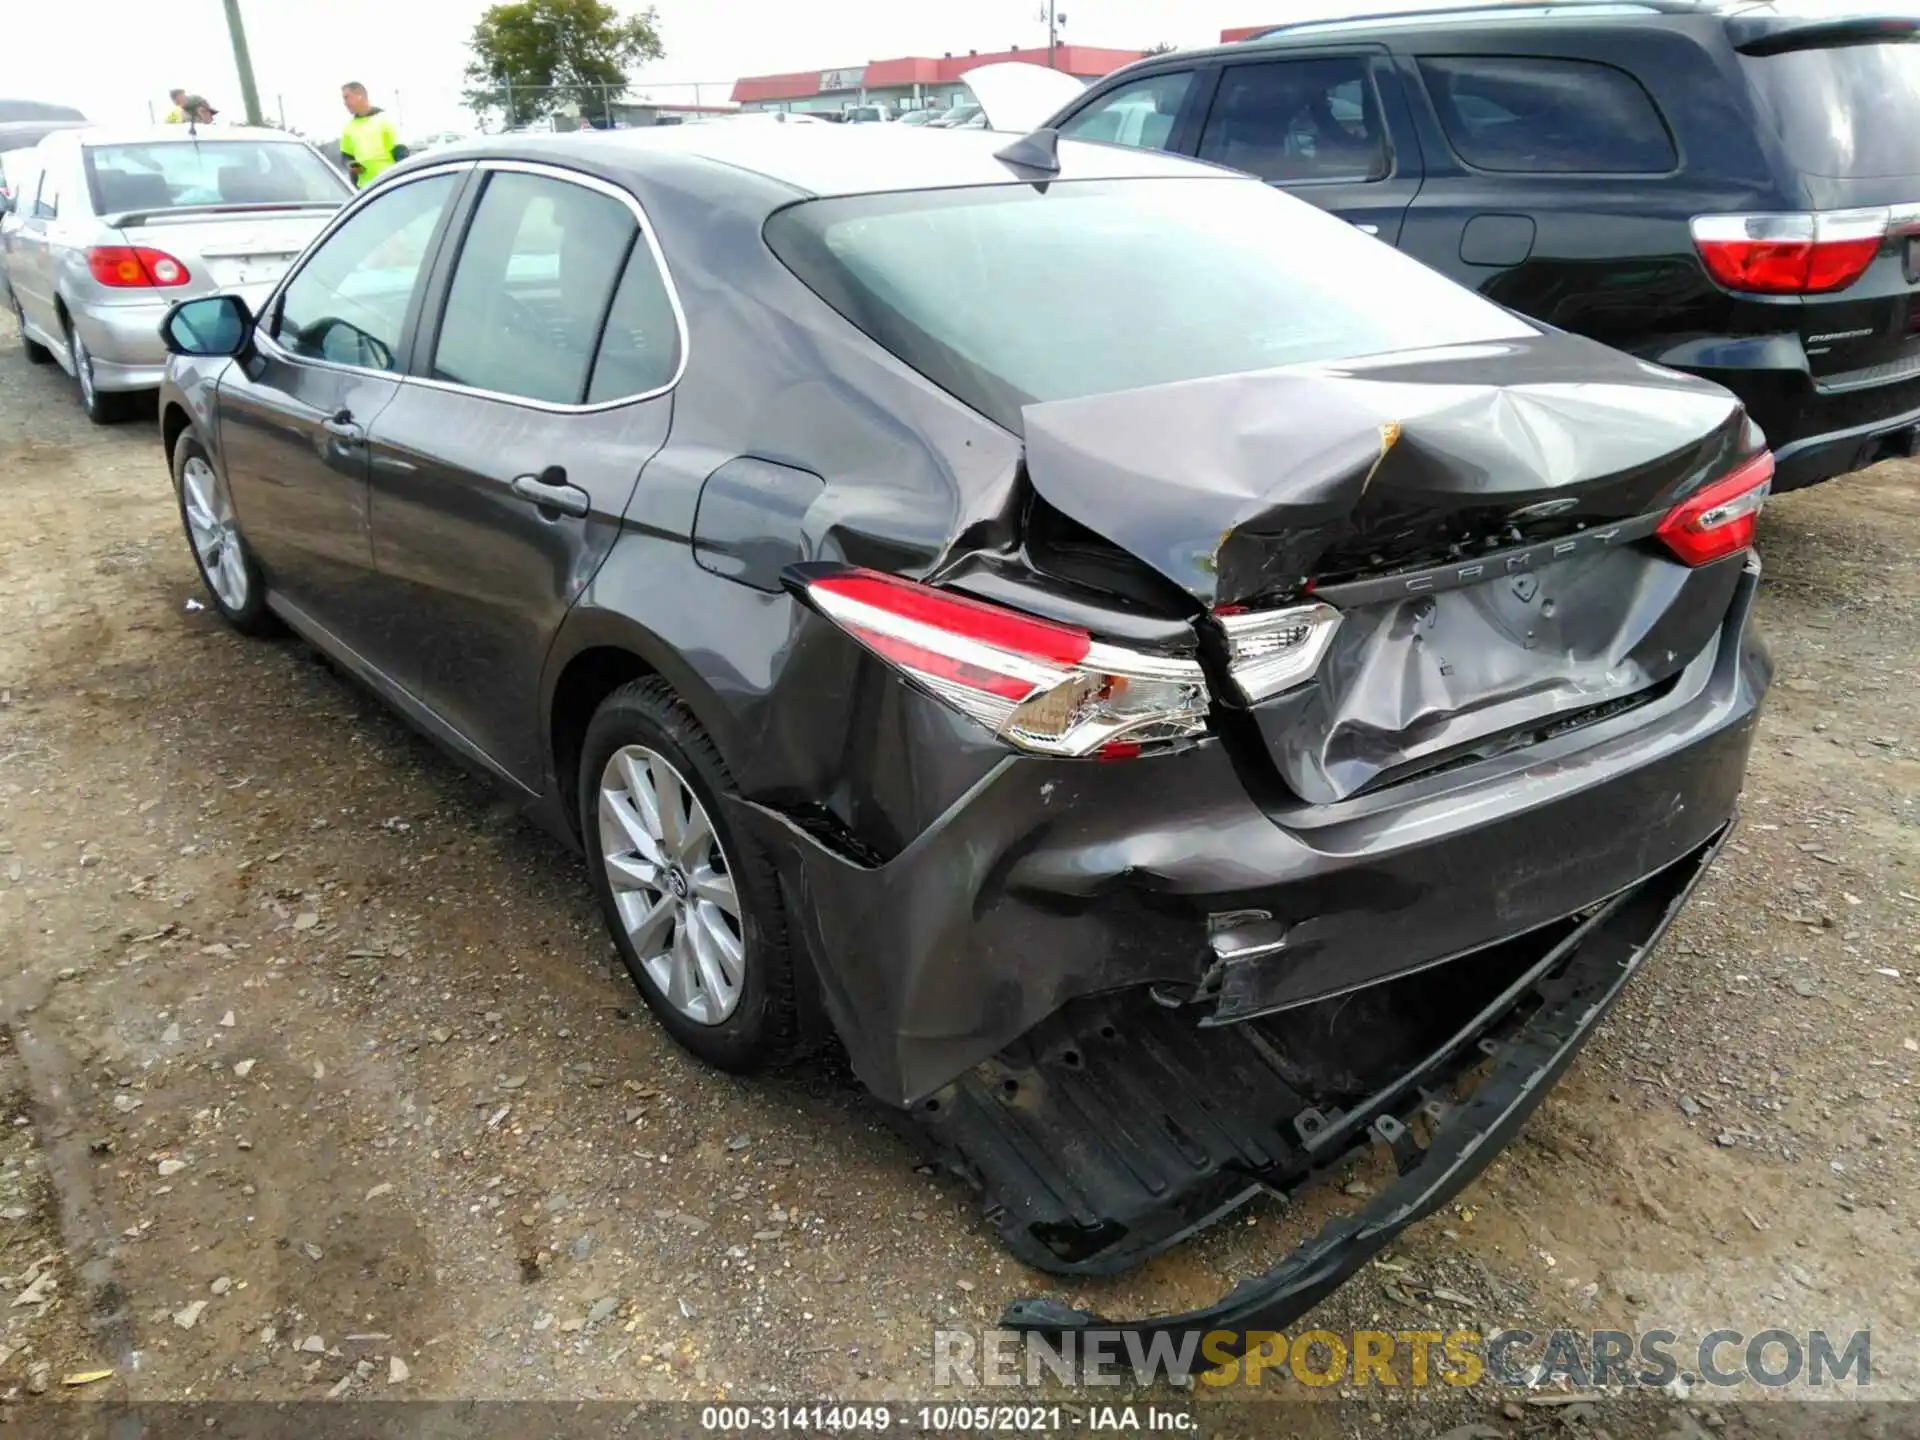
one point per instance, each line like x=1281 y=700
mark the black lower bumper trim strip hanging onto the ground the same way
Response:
x=1568 y=996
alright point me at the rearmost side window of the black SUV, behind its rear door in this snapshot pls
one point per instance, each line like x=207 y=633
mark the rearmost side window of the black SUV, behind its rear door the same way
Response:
x=1543 y=116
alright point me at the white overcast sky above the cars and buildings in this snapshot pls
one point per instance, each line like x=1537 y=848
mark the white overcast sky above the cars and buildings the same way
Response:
x=114 y=57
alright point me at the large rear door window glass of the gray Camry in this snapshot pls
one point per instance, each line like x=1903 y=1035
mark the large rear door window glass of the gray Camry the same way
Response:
x=533 y=287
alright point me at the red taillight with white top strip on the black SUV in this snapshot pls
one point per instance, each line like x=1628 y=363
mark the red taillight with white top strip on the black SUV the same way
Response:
x=1808 y=254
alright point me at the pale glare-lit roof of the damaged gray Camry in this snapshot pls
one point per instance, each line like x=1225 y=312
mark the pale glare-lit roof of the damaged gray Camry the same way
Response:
x=834 y=160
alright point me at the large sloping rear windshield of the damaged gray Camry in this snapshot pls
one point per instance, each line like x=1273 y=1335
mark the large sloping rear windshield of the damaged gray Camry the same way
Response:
x=1017 y=295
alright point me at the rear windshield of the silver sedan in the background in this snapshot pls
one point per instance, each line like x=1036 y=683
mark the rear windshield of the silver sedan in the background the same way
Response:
x=172 y=174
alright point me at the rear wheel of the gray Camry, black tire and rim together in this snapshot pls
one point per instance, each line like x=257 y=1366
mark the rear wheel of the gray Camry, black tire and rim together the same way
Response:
x=690 y=901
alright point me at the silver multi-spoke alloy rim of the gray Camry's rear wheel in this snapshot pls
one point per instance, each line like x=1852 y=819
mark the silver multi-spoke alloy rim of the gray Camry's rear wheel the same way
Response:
x=673 y=886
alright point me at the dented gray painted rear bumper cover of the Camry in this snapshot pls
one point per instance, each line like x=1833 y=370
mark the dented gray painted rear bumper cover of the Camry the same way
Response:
x=1057 y=880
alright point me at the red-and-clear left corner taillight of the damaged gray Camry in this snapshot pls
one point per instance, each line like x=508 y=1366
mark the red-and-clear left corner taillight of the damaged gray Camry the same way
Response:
x=1038 y=684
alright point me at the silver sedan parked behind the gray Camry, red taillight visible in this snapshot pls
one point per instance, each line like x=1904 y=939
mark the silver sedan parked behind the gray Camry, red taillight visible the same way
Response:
x=107 y=229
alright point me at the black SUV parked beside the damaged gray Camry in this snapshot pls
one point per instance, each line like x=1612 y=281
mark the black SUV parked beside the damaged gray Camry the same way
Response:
x=1727 y=189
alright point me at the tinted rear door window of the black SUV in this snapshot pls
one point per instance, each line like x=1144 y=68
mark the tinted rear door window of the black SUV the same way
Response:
x=1299 y=120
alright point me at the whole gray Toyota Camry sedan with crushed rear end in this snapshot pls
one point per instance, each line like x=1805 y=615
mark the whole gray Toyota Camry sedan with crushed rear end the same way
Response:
x=1180 y=690
